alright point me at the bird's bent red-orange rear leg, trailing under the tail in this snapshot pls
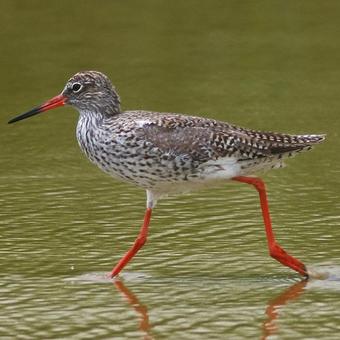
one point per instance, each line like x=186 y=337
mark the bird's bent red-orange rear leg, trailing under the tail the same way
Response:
x=275 y=250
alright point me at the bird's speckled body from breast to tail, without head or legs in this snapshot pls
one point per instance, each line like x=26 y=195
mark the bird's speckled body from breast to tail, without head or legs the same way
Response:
x=154 y=149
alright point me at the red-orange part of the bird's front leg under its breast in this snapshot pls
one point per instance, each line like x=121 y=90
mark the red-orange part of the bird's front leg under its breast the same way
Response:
x=139 y=242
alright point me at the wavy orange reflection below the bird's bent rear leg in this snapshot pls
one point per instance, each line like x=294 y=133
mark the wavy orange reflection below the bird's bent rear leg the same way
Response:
x=272 y=310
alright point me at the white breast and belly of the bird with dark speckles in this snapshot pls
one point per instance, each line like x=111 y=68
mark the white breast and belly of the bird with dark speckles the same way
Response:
x=119 y=150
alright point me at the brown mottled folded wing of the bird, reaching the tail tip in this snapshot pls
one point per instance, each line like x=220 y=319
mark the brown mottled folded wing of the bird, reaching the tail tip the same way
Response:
x=205 y=139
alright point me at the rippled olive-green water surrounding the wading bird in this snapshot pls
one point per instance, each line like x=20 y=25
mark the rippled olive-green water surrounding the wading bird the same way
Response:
x=205 y=272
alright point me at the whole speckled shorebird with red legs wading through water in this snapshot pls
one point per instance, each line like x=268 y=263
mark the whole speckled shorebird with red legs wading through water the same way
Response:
x=168 y=153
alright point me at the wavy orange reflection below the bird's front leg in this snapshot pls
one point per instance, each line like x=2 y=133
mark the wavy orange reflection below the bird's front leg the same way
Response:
x=142 y=310
